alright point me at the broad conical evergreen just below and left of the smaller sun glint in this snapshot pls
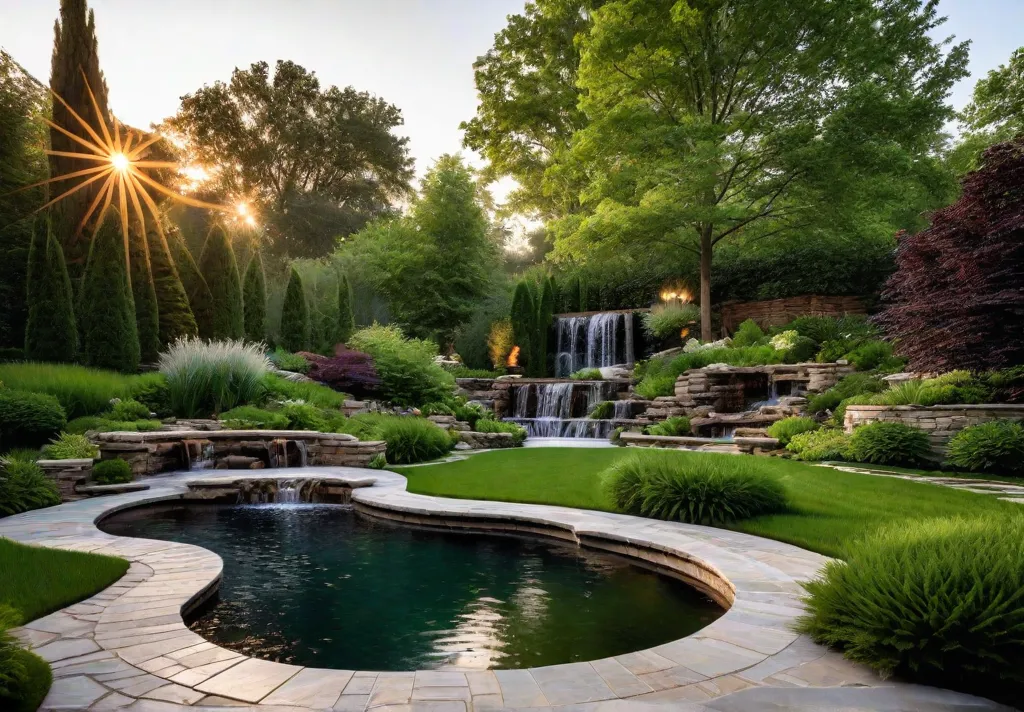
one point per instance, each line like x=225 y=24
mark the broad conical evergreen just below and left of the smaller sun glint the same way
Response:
x=221 y=273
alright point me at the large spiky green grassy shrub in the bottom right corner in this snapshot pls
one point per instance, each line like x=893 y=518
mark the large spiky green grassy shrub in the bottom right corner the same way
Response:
x=935 y=602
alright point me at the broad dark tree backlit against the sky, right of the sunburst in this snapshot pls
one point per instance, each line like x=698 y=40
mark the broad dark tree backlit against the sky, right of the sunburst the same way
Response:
x=319 y=163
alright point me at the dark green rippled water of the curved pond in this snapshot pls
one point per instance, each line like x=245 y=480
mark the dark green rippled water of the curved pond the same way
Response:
x=324 y=587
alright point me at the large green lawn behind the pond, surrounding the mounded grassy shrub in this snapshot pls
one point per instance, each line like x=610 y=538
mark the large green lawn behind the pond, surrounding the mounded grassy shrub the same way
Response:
x=829 y=508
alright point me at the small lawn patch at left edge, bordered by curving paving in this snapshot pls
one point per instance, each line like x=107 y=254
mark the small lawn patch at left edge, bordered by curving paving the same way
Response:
x=37 y=581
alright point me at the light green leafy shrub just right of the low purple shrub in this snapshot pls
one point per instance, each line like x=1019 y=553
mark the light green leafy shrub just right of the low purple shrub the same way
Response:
x=410 y=376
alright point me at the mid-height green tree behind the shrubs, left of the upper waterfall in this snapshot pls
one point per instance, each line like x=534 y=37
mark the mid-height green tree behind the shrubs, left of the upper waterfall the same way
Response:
x=436 y=266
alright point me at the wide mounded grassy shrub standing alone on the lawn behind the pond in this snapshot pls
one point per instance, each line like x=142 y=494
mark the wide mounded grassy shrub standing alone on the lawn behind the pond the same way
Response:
x=694 y=489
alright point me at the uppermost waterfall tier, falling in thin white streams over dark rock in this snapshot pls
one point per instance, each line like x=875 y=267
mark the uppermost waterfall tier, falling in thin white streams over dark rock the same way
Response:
x=593 y=342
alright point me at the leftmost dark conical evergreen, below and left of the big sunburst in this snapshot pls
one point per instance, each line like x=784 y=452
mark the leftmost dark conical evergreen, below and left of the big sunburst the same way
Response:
x=51 y=333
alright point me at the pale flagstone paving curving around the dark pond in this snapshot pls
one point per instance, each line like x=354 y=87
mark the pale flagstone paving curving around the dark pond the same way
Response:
x=127 y=648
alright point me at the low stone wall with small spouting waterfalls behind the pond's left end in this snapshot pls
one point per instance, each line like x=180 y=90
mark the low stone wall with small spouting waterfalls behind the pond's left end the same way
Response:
x=151 y=453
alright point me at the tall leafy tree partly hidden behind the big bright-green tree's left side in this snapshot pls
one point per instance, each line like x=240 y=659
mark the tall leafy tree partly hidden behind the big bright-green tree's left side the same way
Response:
x=529 y=109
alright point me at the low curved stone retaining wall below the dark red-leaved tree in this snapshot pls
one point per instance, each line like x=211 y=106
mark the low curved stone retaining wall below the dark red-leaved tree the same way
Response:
x=941 y=423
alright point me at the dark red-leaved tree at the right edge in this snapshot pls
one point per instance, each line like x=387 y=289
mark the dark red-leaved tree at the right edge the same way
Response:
x=957 y=300
